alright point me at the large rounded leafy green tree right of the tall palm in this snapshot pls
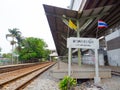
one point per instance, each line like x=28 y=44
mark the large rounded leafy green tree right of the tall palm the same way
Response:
x=33 y=48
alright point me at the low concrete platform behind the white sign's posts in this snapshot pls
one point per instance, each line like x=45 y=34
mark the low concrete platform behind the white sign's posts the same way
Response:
x=83 y=72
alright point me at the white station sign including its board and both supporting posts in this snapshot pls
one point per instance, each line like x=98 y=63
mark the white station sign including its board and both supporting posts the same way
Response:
x=89 y=43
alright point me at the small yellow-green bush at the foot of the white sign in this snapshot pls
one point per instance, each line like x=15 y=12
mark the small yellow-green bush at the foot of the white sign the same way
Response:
x=67 y=83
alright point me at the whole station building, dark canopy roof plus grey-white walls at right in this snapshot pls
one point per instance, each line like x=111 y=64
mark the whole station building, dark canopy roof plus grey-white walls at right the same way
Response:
x=88 y=12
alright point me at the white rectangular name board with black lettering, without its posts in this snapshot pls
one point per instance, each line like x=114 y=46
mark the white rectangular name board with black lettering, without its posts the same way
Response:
x=89 y=43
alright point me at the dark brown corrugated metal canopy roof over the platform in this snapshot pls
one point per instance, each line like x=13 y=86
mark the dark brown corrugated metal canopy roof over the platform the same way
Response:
x=100 y=8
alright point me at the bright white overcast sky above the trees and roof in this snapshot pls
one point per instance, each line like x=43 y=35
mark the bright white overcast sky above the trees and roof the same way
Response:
x=29 y=17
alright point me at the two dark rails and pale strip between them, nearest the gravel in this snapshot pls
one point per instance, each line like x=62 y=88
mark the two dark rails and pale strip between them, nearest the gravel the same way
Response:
x=22 y=81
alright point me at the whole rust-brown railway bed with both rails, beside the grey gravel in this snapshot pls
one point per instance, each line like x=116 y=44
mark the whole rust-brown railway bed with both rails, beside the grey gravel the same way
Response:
x=18 y=79
